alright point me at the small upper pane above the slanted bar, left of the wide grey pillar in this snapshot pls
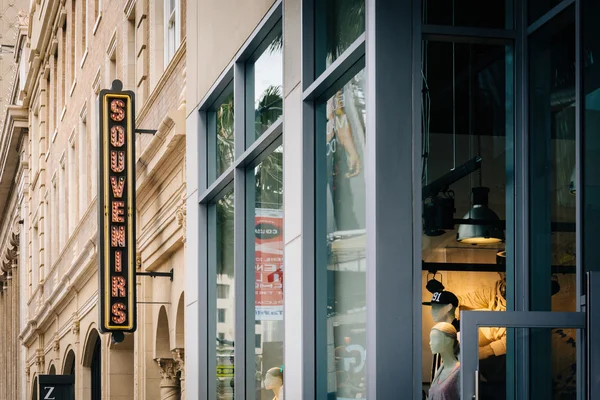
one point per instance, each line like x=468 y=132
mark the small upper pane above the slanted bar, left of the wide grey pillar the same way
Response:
x=338 y=24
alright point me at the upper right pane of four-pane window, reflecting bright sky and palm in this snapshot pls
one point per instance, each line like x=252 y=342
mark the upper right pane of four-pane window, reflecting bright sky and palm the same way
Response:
x=264 y=80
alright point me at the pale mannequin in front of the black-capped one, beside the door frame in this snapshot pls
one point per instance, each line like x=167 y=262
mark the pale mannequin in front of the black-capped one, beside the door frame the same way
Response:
x=445 y=384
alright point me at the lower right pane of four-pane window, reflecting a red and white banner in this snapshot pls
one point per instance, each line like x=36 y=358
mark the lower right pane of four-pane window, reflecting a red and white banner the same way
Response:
x=267 y=242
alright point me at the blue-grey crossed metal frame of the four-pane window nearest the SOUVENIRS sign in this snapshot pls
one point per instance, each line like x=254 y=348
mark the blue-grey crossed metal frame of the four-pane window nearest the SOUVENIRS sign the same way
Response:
x=210 y=191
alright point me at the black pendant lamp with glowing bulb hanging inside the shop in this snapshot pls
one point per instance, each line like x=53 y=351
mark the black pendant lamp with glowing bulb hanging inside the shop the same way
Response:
x=488 y=230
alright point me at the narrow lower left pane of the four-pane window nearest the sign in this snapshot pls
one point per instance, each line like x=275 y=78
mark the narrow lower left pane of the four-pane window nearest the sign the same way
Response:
x=225 y=320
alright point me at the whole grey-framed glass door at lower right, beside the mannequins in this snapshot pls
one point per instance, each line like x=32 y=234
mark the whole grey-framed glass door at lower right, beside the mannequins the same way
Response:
x=541 y=361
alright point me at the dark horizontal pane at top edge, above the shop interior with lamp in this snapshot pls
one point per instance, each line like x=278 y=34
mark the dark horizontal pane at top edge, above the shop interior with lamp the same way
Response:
x=469 y=13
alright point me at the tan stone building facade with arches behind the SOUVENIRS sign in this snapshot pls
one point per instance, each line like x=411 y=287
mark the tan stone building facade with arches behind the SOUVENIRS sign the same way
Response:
x=71 y=49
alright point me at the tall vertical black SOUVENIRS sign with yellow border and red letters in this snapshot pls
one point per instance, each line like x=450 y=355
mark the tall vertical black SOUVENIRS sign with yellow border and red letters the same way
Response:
x=116 y=202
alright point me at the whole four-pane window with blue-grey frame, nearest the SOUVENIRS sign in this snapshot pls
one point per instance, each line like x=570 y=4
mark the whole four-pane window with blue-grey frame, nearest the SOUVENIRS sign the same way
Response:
x=243 y=201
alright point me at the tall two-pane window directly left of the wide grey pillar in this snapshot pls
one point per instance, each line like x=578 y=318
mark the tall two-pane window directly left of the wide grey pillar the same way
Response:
x=340 y=147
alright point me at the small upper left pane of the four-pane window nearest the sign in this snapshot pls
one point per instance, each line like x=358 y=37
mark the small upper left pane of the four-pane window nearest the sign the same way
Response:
x=220 y=136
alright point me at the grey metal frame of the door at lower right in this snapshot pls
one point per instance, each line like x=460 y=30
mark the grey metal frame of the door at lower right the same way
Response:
x=471 y=321
